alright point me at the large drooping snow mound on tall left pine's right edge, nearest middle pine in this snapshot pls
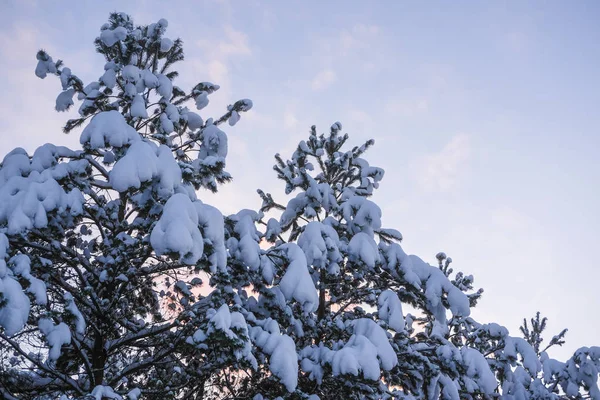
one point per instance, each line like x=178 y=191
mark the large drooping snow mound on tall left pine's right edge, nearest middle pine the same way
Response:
x=177 y=230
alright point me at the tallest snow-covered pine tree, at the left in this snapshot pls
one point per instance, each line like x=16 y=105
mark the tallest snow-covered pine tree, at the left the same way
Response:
x=98 y=246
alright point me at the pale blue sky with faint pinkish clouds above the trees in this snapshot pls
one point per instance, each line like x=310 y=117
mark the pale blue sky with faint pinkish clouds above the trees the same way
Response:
x=485 y=117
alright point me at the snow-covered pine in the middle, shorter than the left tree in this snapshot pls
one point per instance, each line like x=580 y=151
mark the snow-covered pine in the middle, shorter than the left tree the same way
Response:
x=326 y=314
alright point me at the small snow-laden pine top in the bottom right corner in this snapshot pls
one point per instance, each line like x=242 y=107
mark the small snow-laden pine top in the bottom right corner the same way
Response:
x=523 y=368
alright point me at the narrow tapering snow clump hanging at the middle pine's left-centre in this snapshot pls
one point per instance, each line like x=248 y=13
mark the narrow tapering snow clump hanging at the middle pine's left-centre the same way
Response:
x=296 y=283
